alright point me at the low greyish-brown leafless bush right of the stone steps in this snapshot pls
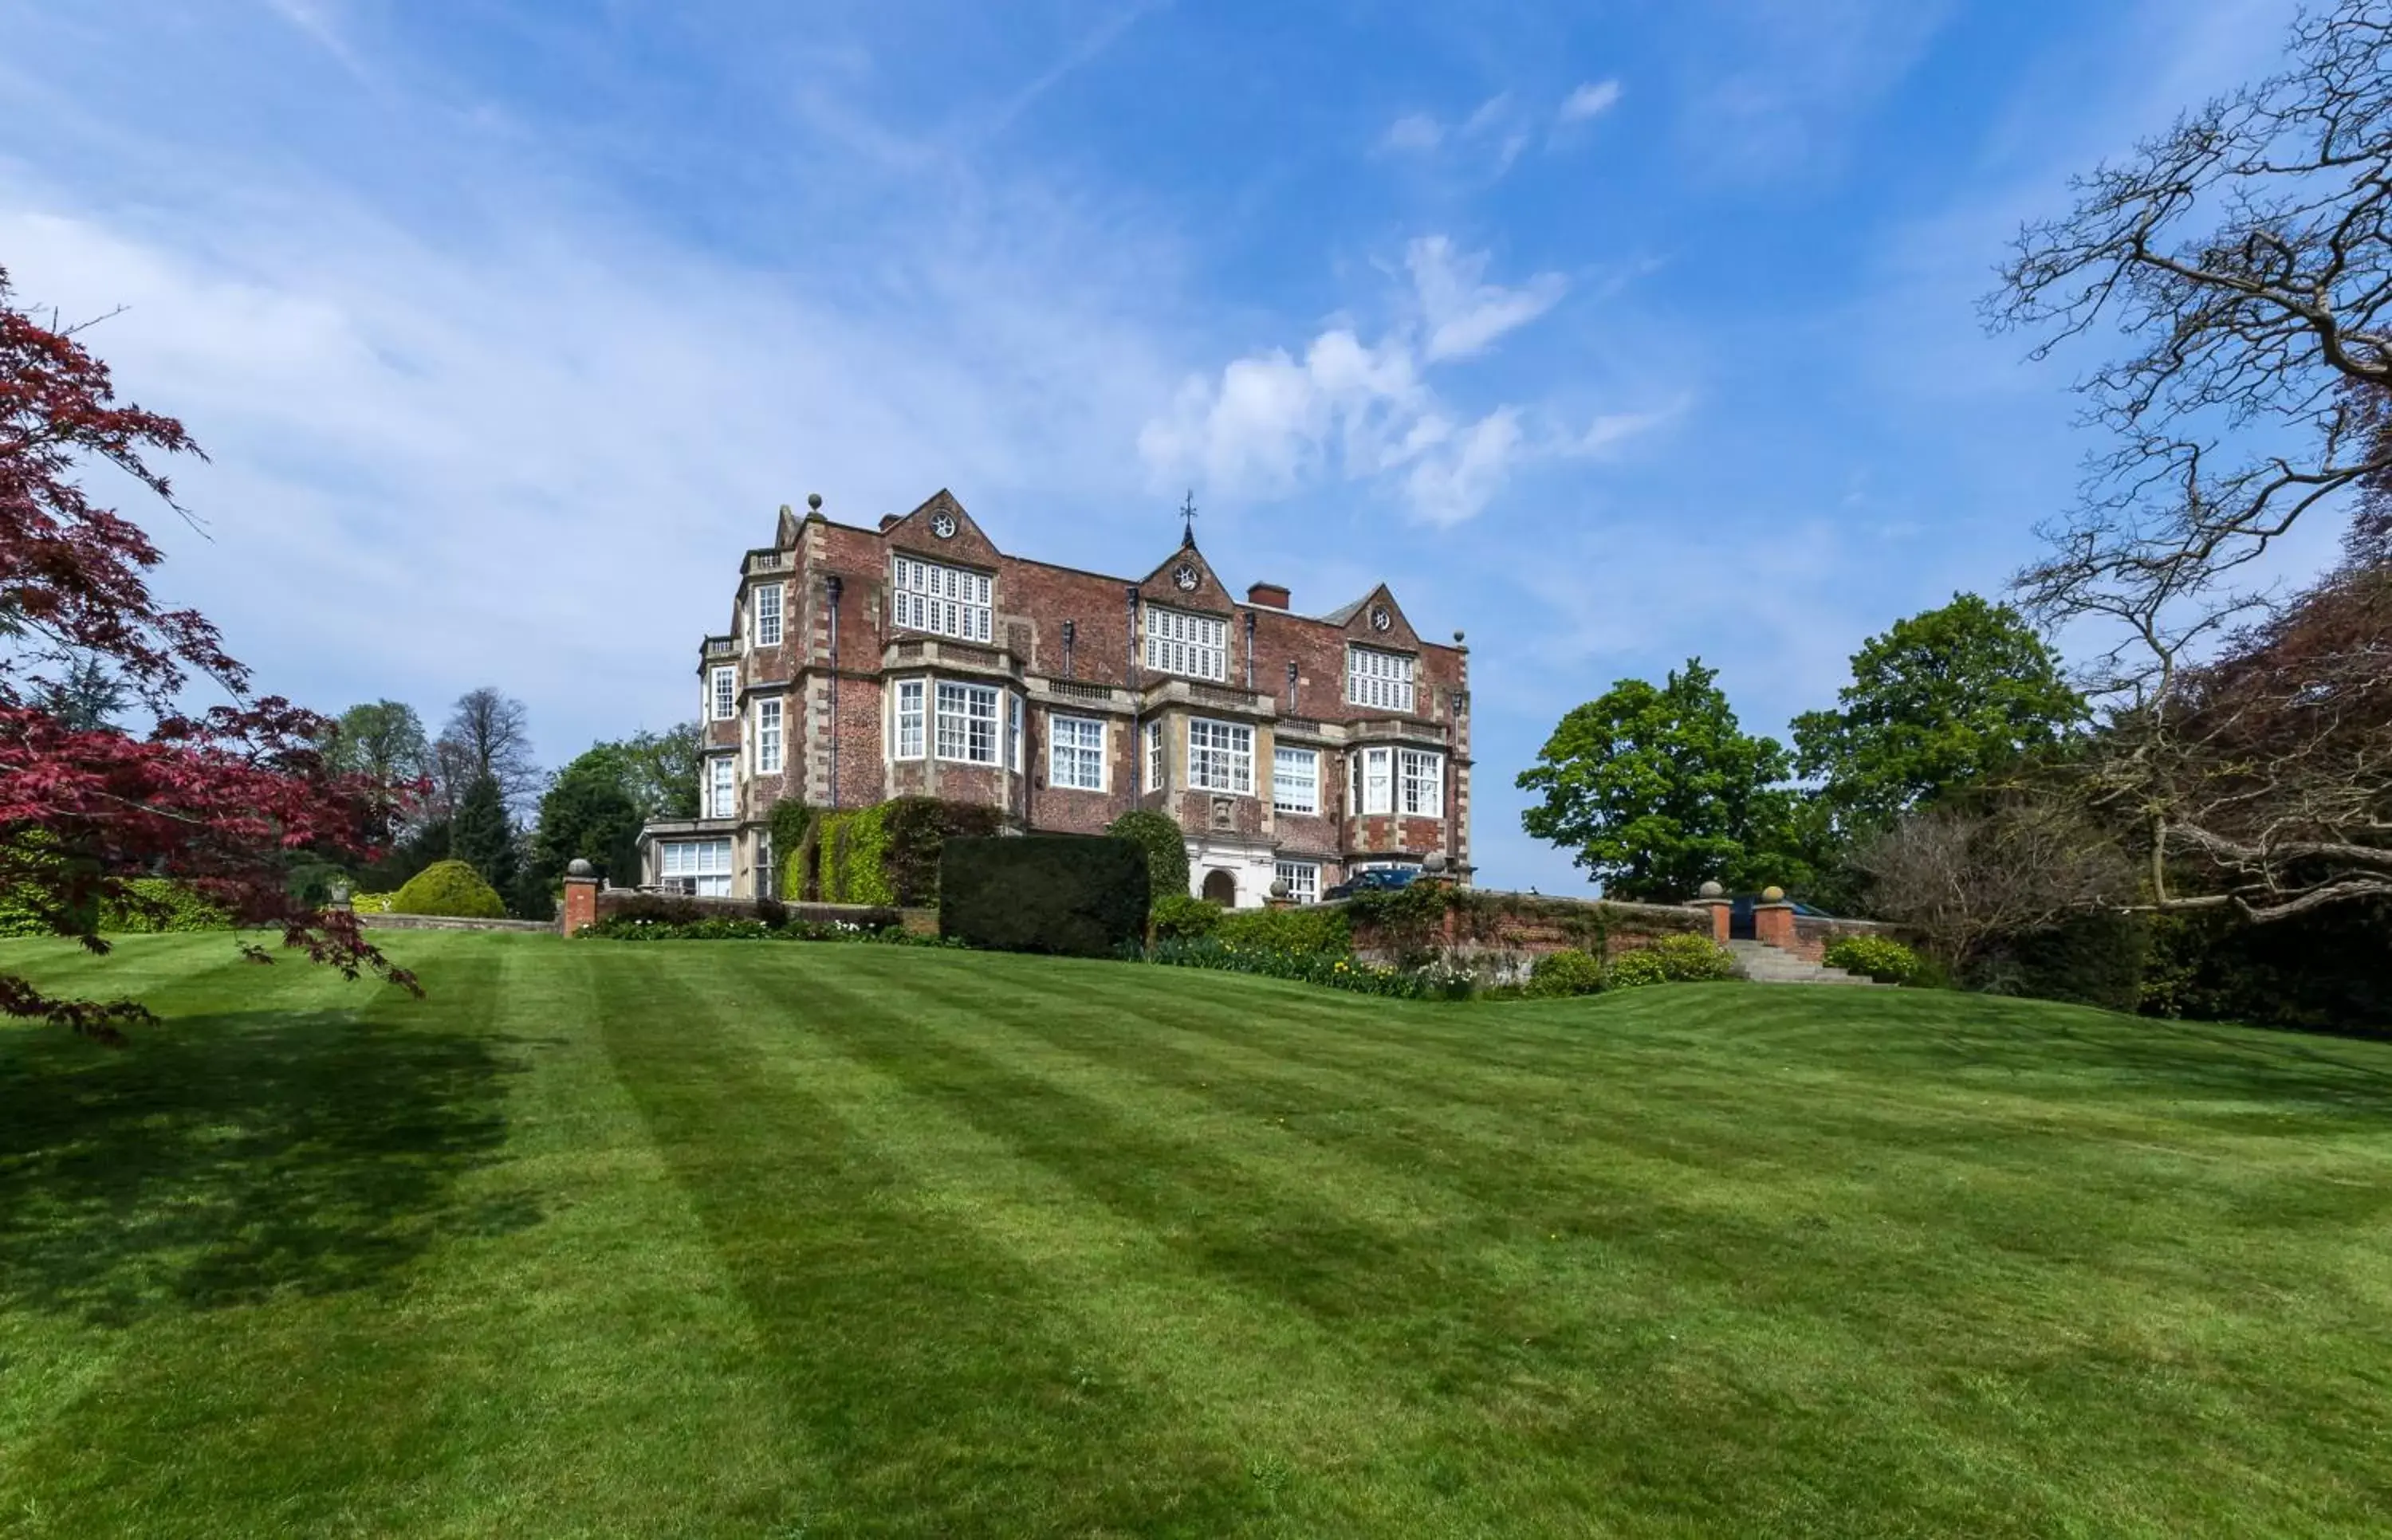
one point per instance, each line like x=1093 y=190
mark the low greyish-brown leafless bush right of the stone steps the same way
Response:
x=1963 y=879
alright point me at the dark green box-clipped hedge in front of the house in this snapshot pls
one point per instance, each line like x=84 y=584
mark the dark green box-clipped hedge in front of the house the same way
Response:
x=1044 y=893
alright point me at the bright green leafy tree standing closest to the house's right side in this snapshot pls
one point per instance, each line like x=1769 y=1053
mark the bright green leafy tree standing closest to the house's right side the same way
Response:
x=1659 y=790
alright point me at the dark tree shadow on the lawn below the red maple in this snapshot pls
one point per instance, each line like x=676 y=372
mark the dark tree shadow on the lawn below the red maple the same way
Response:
x=228 y=1159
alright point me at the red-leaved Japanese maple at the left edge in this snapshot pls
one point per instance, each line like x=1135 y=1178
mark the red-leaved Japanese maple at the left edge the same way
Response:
x=212 y=797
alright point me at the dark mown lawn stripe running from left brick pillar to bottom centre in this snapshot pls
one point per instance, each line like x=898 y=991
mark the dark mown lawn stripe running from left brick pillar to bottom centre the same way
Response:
x=917 y=1355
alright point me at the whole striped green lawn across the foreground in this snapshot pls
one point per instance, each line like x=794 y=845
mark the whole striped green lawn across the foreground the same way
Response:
x=786 y=1240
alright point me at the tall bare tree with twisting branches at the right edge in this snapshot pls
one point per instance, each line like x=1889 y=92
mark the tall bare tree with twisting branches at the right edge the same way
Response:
x=2247 y=255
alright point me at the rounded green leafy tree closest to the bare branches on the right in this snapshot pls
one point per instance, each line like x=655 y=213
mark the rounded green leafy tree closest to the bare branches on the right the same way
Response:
x=1941 y=702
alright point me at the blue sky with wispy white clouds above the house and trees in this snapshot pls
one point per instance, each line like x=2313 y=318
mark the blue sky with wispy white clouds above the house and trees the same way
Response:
x=1606 y=334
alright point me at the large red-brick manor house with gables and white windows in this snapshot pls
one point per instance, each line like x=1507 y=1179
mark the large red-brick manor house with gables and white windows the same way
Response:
x=917 y=659
